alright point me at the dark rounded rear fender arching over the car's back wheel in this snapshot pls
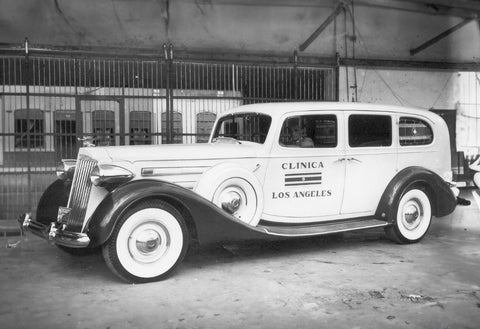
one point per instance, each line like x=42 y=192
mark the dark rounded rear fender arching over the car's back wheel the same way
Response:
x=442 y=198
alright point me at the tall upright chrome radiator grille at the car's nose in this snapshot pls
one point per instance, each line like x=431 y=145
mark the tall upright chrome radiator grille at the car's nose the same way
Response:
x=80 y=192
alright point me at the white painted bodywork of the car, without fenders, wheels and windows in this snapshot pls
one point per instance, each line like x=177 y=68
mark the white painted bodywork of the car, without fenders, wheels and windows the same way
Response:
x=353 y=179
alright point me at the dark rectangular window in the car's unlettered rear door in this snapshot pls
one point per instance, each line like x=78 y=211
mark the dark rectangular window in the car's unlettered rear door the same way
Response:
x=369 y=130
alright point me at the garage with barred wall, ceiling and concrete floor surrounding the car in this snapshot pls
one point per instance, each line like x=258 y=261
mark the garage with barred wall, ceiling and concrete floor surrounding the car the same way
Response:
x=128 y=72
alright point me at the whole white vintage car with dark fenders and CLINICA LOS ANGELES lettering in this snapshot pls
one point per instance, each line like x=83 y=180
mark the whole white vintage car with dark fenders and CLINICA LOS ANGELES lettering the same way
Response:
x=279 y=170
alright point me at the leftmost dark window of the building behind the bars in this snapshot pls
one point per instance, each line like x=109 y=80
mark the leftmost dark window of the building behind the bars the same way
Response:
x=29 y=128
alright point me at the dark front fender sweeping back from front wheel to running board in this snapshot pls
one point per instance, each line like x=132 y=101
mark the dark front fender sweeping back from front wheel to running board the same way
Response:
x=206 y=222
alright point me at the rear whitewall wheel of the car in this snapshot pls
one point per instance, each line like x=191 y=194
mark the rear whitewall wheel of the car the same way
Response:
x=413 y=218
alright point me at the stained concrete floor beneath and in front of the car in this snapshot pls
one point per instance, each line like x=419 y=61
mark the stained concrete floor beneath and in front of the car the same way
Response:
x=351 y=280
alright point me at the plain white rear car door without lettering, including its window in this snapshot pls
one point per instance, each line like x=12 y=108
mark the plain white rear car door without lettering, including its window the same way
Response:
x=371 y=158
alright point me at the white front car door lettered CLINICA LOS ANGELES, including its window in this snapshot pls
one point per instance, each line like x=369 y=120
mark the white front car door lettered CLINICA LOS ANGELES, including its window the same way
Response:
x=305 y=176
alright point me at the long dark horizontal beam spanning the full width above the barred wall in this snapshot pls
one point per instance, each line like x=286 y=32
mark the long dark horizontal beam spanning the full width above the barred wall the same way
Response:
x=234 y=56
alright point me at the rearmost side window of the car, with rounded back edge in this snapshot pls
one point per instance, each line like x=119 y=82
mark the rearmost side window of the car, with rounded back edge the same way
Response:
x=414 y=131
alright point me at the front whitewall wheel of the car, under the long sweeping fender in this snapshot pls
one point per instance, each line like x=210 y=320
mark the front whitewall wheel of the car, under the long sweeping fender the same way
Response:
x=148 y=242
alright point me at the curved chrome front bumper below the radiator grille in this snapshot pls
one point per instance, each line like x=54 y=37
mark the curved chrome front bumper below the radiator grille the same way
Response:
x=53 y=233
